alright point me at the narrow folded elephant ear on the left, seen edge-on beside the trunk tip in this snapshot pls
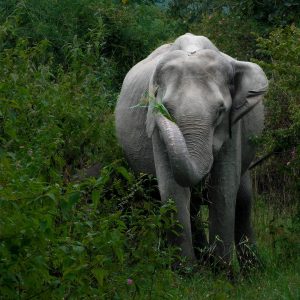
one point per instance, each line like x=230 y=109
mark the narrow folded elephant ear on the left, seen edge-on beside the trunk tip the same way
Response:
x=152 y=93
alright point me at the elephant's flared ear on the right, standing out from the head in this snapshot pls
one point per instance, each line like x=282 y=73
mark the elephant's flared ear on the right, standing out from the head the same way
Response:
x=250 y=84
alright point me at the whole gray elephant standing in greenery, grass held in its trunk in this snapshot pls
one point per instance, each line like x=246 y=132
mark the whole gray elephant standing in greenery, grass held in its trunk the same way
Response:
x=216 y=103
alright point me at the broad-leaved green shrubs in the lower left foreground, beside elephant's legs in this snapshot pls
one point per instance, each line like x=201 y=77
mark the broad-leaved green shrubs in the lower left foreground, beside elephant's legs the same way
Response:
x=74 y=240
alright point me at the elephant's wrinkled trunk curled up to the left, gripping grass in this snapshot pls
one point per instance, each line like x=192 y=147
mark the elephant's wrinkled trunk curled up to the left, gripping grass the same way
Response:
x=189 y=153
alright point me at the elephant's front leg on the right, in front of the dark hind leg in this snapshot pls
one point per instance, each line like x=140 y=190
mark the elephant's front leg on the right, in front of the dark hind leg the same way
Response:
x=225 y=178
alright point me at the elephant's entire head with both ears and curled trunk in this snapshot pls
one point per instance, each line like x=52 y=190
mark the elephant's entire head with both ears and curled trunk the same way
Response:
x=206 y=92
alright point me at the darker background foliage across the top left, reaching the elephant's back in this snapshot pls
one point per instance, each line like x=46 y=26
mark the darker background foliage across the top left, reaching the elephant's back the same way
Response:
x=125 y=33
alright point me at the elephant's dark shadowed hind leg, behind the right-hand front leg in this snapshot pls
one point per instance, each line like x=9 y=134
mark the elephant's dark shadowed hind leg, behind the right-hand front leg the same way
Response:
x=244 y=236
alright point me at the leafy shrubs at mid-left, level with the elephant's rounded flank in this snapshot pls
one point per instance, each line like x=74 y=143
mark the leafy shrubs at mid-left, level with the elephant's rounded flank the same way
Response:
x=51 y=122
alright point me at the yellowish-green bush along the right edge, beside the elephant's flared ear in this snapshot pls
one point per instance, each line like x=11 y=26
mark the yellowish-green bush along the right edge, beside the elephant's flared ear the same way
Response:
x=281 y=54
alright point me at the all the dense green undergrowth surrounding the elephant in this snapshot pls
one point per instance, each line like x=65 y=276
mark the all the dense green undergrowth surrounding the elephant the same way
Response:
x=62 y=64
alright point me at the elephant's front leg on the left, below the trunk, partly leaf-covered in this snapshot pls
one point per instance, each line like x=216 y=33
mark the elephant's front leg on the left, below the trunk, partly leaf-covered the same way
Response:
x=170 y=189
